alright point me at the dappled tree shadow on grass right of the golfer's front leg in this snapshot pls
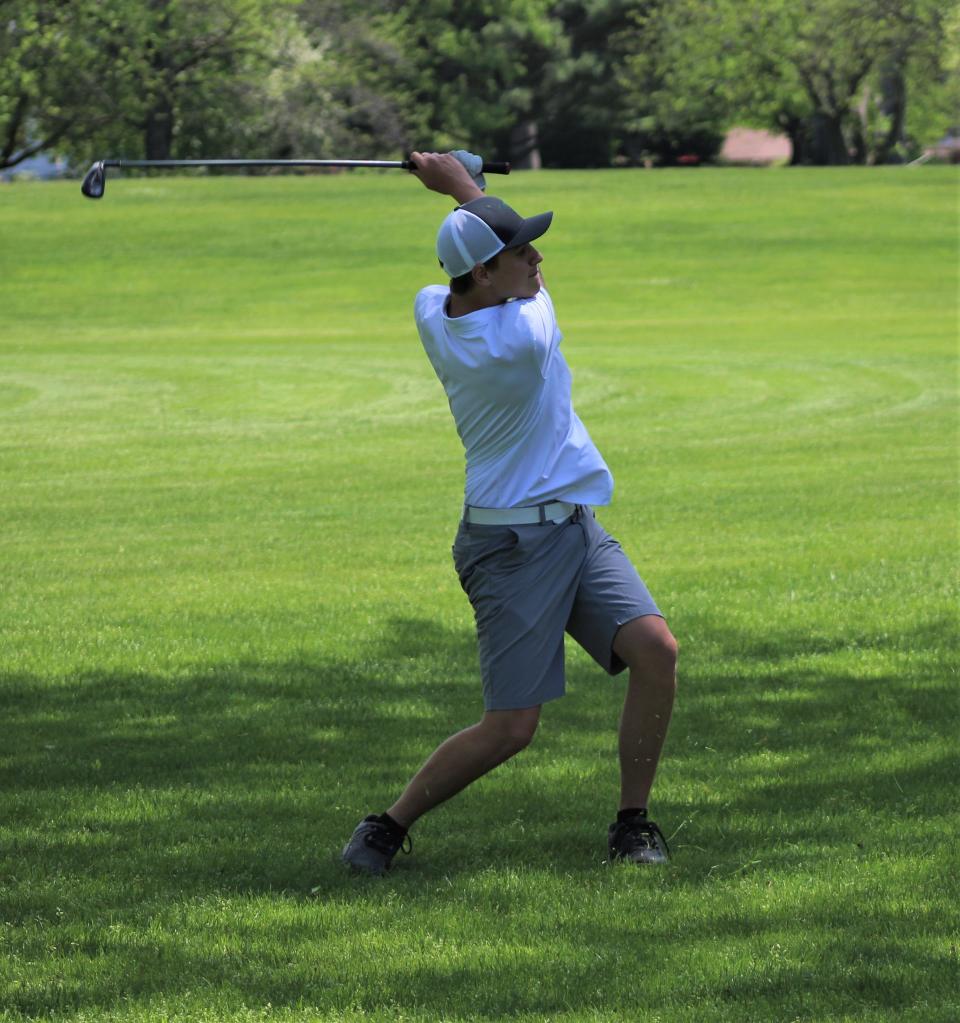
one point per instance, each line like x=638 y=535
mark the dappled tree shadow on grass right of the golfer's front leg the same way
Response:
x=808 y=723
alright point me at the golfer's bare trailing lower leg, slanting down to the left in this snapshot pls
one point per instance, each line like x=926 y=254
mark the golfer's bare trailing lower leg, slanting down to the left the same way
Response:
x=464 y=759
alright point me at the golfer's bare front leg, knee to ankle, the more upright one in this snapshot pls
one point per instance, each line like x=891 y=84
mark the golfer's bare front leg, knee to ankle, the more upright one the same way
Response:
x=649 y=650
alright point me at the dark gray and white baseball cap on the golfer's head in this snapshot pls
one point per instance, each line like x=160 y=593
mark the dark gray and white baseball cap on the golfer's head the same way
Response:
x=479 y=230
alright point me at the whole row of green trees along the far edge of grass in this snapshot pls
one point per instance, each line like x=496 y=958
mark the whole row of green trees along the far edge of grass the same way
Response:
x=563 y=83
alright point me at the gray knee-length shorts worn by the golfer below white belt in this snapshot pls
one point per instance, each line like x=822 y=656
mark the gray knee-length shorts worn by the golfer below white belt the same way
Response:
x=529 y=586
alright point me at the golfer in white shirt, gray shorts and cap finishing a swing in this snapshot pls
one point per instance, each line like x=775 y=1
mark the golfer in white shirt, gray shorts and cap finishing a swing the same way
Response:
x=531 y=555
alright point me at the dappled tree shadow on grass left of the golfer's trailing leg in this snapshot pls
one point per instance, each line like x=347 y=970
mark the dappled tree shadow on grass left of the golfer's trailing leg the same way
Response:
x=227 y=777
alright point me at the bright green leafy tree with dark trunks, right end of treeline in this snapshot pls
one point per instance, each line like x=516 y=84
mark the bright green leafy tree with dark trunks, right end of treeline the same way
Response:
x=835 y=75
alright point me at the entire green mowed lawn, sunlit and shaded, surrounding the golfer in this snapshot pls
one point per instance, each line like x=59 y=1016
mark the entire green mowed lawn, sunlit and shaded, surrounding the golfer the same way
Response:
x=231 y=626
